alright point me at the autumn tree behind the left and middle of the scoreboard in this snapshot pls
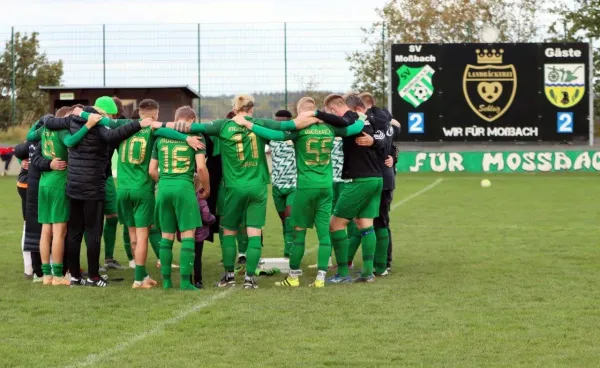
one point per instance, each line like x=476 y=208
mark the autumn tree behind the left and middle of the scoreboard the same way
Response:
x=434 y=21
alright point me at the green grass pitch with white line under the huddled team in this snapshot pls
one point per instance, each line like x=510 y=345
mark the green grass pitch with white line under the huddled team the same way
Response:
x=501 y=277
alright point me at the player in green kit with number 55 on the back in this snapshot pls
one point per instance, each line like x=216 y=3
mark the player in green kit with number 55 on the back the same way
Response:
x=312 y=204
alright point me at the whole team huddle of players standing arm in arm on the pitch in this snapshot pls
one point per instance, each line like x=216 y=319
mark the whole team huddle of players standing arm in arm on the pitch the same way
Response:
x=332 y=170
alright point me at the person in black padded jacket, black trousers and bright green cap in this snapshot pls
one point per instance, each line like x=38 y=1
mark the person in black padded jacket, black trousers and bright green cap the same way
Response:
x=86 y=185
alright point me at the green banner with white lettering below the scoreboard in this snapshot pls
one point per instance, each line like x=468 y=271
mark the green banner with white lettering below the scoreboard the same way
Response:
x=510 y=161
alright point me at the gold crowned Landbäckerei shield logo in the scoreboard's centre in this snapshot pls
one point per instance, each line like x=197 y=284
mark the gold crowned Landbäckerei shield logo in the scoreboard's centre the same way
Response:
x=490 y=87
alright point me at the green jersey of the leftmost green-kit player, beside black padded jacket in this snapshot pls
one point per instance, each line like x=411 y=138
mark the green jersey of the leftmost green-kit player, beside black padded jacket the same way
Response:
x=53 y=146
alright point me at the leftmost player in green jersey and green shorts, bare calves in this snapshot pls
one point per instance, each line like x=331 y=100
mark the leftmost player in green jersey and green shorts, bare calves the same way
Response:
x=53 y=203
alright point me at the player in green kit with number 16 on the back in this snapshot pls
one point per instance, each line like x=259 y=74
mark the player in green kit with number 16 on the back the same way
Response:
x=176 y=202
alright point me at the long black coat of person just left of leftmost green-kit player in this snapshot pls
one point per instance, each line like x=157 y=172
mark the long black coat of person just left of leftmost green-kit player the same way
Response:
x=33 y=229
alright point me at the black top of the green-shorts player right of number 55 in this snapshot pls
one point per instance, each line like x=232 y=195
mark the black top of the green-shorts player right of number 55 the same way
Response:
x=359 y=161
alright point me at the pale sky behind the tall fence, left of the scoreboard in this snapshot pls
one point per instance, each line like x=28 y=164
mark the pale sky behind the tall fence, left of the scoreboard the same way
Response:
x=153 y=42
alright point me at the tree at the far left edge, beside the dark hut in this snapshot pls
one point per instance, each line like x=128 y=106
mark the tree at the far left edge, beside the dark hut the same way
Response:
x=32 y=69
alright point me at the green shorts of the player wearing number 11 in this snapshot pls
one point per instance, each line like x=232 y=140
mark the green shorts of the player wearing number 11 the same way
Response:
x=249 y=203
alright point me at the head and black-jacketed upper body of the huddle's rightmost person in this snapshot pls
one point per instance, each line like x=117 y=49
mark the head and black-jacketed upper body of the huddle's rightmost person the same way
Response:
x=385 y=133
